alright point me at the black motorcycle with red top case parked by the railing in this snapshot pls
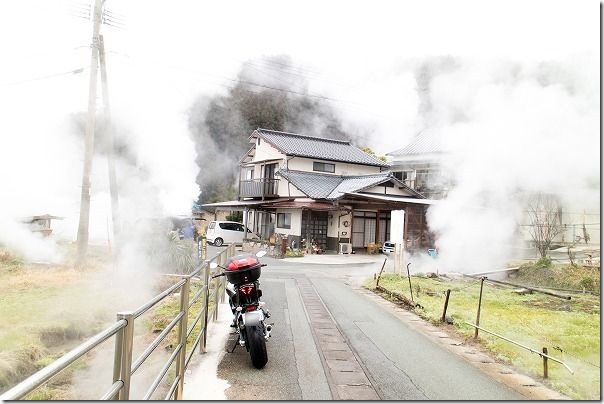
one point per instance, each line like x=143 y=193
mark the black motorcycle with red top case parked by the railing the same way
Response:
x=242 y=272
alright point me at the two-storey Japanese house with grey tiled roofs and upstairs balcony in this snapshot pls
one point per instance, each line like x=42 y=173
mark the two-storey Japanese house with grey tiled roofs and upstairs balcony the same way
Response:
x=325 y=190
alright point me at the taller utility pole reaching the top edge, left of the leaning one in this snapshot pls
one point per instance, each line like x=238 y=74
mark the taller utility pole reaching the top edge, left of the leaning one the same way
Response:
x=82 y=241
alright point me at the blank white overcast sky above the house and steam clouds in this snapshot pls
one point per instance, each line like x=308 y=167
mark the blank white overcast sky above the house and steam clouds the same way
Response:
x=164 y=54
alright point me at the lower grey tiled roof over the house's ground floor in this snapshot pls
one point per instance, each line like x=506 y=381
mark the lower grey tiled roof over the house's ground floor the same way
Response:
x=325 y=186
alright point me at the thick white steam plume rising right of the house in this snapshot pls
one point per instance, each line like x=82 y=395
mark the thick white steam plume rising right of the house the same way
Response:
x=510 y=129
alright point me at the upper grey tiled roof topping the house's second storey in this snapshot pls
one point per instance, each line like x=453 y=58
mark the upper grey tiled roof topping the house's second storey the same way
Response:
x=293 y=144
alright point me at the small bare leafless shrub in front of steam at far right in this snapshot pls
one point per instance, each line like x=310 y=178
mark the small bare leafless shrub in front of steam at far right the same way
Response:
x=545 y=220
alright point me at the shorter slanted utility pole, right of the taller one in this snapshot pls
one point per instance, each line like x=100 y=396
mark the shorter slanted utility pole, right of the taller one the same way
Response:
x=109 y=144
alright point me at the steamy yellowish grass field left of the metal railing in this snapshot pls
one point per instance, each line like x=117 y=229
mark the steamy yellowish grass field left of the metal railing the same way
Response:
x=46 y=310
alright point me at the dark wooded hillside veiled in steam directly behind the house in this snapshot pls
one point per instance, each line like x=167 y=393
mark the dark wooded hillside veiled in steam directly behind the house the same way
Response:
x=270 y=94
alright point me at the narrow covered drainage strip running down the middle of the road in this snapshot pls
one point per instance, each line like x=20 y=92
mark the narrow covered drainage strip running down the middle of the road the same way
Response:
x=346 y=376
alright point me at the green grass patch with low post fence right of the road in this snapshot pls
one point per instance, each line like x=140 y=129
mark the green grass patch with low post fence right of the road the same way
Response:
x=570 y=329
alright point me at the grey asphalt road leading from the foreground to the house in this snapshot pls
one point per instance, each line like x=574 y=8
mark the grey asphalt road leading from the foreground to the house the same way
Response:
x=330 y=341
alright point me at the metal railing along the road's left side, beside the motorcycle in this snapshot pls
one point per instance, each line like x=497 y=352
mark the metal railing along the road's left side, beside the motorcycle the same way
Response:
x=123 y=330
